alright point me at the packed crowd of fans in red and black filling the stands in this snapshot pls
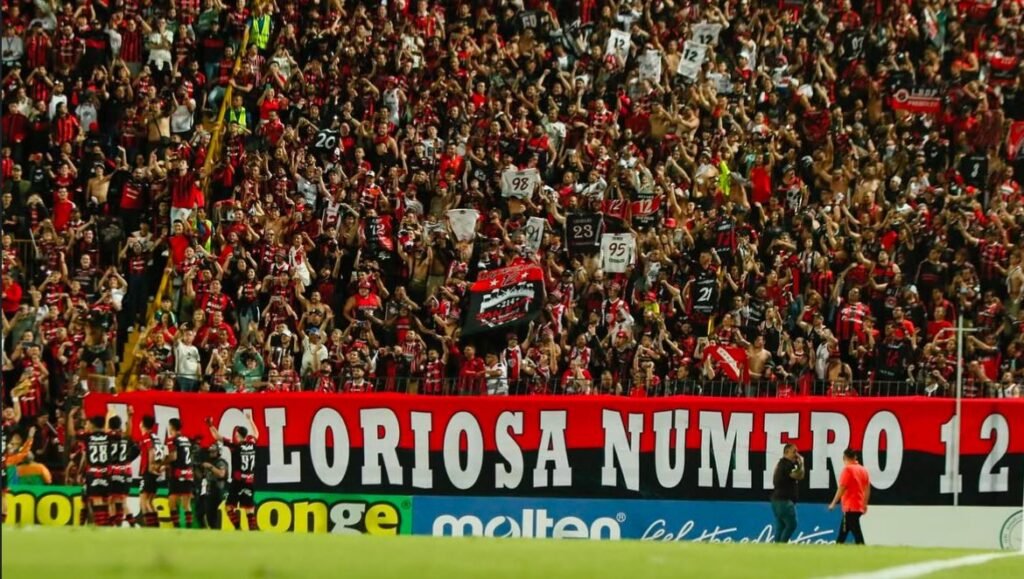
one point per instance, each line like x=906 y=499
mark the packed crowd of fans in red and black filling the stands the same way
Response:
x=816 y=194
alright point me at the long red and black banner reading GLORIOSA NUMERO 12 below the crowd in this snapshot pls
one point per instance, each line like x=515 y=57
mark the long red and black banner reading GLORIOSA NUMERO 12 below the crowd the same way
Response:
x=684 y=447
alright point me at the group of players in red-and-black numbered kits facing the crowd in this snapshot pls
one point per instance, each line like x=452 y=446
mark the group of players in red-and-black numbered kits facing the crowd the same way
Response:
x=103 y=454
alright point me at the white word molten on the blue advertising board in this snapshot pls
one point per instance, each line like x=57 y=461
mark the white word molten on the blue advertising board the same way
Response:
x=532 y=524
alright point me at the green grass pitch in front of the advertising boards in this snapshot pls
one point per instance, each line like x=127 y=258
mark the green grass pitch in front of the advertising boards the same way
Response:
x=111 y=554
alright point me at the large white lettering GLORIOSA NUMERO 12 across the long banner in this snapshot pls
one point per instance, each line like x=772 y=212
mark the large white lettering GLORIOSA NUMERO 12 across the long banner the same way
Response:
x=726 y=448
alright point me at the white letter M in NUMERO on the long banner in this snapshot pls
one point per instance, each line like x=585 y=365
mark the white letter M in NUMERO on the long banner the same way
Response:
x=726 y=448
